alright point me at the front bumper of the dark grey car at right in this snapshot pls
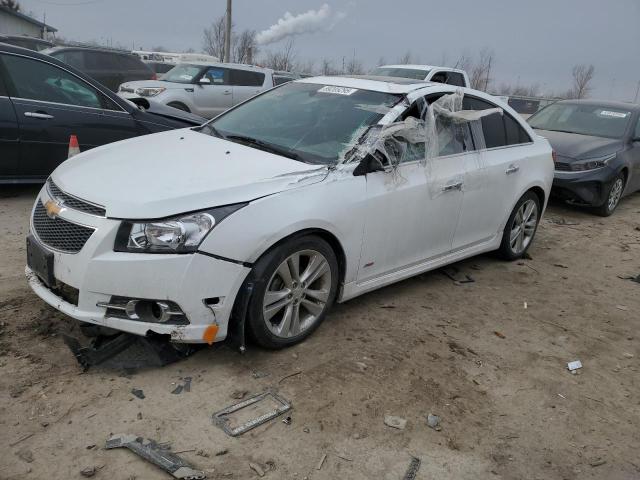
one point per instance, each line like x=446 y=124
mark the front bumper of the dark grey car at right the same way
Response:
x=585 y=188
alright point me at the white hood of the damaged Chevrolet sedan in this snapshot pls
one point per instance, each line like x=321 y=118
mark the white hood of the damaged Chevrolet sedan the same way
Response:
x=178 y=171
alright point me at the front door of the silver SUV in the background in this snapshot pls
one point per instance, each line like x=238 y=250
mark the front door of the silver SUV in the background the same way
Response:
x=213 y=94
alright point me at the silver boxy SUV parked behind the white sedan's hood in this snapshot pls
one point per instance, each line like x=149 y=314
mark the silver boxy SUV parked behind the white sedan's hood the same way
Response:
x=206 y=89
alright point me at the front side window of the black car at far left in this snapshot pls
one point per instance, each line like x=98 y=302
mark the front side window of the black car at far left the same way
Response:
x=36 y=80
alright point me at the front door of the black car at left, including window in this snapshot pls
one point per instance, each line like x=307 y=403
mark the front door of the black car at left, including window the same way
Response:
x=51 y=104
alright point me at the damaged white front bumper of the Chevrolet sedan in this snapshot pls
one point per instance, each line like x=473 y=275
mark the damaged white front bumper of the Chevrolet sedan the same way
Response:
x=98 y=273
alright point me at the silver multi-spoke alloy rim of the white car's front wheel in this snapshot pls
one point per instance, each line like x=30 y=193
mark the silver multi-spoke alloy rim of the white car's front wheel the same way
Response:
x=297 y=293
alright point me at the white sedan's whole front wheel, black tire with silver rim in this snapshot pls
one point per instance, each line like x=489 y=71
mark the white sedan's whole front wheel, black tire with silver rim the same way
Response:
x=281 y=311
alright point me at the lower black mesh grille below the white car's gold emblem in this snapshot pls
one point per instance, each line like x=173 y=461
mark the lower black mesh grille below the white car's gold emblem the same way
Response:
x=58 y=233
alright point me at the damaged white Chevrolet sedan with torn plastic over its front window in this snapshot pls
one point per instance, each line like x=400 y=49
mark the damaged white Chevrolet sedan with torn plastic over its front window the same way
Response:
x=311 y=193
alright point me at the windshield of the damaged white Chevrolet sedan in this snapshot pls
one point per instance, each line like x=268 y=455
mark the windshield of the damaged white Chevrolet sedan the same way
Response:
x=313 y=123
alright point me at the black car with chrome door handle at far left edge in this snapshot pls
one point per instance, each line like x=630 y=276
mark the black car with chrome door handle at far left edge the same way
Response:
x=43 y=101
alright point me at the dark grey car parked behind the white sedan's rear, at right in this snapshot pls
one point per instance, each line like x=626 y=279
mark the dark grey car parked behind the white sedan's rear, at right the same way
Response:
x=597 y=146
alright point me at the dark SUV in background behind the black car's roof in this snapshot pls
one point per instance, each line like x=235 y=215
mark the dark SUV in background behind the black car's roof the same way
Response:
x=107 y=66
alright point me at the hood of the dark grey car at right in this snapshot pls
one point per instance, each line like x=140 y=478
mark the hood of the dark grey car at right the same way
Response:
x=580 y=147
